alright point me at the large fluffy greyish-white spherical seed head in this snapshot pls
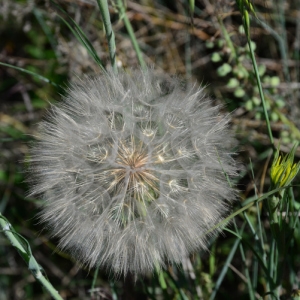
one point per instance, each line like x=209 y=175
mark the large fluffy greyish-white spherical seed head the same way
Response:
x=132 y=169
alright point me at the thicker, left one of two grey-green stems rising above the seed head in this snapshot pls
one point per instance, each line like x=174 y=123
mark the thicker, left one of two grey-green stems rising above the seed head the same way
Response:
x=103 y=6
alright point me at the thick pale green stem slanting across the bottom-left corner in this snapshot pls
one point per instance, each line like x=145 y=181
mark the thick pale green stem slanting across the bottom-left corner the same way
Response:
x=15 y=240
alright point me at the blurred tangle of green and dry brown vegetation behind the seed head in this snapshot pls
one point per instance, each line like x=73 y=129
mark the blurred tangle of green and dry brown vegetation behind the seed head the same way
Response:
x=205 y=40
